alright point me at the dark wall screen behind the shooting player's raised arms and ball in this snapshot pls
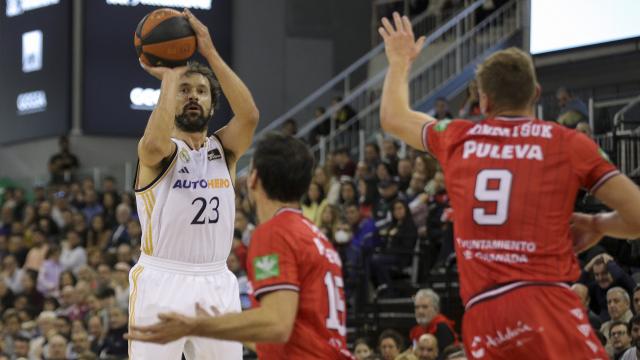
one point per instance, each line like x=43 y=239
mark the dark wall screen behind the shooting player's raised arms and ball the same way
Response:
x=118 y=94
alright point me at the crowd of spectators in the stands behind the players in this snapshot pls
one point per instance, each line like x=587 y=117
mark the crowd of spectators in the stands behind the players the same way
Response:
x=66 y=250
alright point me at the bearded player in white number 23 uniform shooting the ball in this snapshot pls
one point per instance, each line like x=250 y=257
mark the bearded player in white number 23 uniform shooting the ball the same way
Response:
x=185 y=197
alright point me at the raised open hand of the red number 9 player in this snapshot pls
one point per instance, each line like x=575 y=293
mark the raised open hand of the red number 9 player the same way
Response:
x=399 y=40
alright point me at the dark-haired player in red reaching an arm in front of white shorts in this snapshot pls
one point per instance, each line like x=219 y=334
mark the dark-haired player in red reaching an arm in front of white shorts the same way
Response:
x=295 y=272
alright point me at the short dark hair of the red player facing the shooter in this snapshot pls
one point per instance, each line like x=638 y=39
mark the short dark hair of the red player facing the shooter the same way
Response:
x=284 y=165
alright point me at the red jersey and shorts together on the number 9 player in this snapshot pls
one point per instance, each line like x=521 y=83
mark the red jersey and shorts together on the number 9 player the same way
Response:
x=512 y=182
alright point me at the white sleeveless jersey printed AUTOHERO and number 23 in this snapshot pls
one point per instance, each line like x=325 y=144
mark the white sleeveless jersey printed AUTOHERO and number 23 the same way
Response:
x=187 y=213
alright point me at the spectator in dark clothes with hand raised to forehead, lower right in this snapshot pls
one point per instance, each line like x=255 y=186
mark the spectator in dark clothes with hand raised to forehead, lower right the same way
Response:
x=601 y=274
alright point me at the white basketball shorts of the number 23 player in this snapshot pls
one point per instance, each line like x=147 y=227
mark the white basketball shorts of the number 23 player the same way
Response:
x=159 y=285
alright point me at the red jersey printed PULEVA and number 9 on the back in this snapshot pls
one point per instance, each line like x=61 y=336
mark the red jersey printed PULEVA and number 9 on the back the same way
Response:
x=512 y=183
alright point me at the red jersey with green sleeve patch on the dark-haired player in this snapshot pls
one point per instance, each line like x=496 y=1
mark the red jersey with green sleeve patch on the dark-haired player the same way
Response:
x=289 y=253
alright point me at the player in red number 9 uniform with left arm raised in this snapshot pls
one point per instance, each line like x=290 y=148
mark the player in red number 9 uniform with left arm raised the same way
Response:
x=512 y=180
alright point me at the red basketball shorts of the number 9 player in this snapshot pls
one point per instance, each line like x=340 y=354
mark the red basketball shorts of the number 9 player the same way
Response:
x=527 y=321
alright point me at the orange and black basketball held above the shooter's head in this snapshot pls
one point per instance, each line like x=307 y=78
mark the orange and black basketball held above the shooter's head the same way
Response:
x=164 y=37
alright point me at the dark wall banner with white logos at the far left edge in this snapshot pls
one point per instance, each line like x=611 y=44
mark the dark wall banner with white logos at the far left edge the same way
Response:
x=35 y=69
